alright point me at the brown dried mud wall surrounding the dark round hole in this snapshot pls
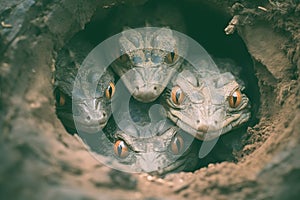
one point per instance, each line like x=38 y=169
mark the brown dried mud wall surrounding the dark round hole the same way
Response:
x=39 y=160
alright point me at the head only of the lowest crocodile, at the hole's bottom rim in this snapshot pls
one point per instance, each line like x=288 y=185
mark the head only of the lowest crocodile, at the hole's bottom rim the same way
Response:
x=170 y=150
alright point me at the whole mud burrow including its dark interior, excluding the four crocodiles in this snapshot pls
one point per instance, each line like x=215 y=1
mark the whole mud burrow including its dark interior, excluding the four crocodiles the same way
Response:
x=258 y=160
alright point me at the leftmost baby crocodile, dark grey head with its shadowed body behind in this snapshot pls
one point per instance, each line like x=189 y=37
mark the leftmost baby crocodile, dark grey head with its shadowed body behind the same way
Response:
x=89 y=109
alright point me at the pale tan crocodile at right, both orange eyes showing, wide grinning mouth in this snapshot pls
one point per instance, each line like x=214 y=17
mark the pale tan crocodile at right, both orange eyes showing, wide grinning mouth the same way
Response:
x=206 y=103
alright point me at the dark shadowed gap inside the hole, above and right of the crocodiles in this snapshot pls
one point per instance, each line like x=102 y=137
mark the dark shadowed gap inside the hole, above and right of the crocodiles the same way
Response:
x=206 y=25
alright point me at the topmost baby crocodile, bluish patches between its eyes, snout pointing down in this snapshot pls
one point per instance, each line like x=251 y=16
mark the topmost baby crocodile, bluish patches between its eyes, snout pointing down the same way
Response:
x=148 y=61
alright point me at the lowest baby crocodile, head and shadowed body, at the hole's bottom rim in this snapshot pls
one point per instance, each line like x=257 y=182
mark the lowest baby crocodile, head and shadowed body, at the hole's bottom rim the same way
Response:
x=162 y=149
